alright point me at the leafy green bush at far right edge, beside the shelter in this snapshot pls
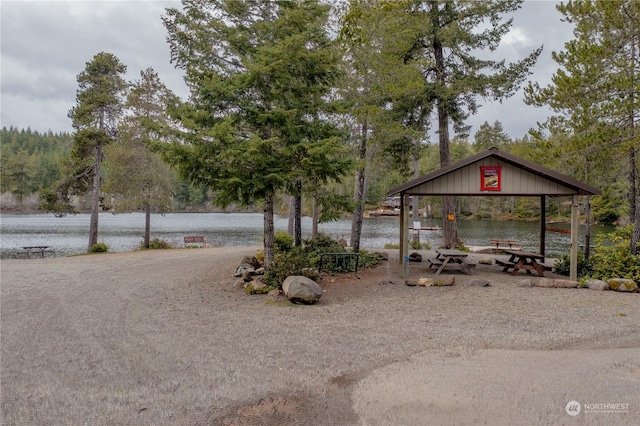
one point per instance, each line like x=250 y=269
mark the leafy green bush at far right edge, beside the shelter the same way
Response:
x=612 y=258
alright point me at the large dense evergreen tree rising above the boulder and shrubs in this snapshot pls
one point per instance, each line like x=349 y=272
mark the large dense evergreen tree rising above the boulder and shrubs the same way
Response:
x=258 y=73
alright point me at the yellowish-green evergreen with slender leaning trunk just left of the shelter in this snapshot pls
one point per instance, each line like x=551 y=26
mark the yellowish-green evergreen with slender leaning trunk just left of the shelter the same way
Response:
x=382 y=92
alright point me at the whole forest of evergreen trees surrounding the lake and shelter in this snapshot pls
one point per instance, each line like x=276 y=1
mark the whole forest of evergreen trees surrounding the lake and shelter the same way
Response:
x=319 y=109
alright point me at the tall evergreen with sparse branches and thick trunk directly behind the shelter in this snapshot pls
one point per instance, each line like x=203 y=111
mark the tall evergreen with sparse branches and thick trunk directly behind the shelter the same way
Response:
x=450 y=34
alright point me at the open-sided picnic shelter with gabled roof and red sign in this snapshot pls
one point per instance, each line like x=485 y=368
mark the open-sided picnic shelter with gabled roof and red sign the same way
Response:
x=495 y=173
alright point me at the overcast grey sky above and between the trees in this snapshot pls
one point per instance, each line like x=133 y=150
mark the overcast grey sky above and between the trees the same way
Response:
x=46 y=44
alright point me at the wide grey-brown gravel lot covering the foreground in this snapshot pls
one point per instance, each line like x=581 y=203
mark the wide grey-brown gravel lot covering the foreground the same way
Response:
x=162 y=337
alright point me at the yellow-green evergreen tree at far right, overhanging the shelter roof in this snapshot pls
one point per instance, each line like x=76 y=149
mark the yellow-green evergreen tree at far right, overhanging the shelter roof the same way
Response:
x=595 y=95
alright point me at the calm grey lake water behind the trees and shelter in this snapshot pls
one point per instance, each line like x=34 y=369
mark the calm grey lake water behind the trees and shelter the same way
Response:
x=69 y=235
